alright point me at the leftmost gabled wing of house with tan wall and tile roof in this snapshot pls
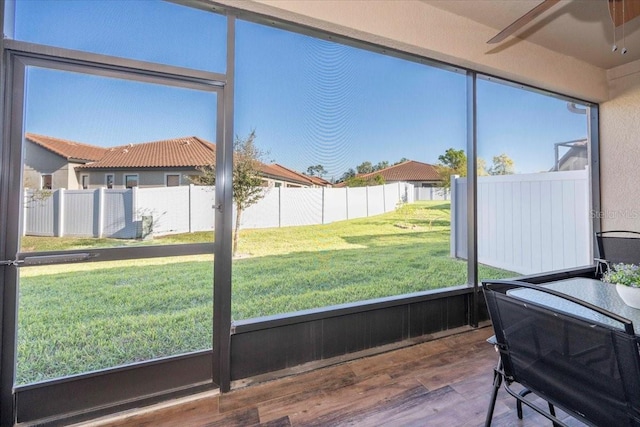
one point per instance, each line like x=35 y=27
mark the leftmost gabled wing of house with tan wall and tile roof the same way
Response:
x=51 y=163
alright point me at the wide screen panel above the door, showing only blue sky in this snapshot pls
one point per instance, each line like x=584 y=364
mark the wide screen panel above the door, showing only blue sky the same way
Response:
x=177 y=35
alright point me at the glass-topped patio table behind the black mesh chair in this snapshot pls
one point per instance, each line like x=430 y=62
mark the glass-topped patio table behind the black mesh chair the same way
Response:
x=593 y=291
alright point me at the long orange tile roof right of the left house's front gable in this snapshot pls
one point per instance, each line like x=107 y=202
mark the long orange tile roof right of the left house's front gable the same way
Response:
x=178 y=152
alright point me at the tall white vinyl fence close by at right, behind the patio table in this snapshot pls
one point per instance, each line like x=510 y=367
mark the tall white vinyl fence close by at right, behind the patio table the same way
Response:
x=527 y=223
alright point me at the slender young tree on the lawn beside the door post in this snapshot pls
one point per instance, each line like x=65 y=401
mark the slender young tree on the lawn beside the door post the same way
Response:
x=246 y=182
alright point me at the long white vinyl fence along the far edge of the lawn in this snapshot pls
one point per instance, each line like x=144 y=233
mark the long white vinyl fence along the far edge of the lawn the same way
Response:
x=127 y=213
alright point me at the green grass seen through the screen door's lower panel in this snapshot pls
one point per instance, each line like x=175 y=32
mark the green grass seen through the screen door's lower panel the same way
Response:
x=71 y=323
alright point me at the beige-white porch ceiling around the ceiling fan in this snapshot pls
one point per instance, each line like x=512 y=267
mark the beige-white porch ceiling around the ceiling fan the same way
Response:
x=579 y=28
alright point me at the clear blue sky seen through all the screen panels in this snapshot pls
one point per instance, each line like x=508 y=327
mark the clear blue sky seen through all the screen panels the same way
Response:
x=310 y=101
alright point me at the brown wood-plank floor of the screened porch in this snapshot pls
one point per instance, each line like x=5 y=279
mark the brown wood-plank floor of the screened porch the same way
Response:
x=445 y=382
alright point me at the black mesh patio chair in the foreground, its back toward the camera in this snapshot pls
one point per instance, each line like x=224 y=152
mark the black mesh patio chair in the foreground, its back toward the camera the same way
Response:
x=589 y=369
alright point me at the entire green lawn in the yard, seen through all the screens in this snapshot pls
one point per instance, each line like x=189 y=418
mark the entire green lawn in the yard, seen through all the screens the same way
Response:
x=81 y=317
